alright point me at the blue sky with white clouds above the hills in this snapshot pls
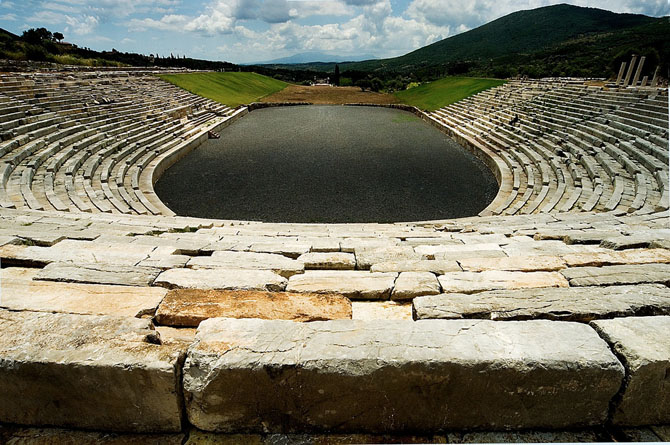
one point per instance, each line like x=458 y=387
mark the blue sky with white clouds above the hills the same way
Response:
x=243 y=31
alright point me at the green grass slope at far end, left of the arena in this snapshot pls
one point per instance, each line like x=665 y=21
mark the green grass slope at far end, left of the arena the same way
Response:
x=232 y=89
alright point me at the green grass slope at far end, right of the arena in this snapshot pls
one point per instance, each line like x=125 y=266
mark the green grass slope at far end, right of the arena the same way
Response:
x=442 y=92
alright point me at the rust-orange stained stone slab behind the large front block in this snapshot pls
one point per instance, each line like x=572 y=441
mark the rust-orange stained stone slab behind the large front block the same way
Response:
x=189 y=307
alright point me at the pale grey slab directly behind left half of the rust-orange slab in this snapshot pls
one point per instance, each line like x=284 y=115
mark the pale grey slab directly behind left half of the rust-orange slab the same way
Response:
x=223 y=279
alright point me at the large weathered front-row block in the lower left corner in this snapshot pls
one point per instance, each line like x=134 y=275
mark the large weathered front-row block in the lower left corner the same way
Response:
x=85 y=371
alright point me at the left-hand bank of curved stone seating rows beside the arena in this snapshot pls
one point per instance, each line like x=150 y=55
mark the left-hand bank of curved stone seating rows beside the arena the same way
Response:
x=88 y=154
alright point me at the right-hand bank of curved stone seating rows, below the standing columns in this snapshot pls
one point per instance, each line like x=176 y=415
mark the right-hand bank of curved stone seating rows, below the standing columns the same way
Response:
x=568 y=147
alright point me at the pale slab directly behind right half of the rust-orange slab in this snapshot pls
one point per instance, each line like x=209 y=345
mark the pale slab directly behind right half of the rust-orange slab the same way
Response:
x=356 y=285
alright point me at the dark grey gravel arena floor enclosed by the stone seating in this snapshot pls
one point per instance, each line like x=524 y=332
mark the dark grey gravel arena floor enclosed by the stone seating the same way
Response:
x=328 y=164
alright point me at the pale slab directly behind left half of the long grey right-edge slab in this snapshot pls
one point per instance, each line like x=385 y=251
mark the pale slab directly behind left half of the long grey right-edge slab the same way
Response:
x=470 y=282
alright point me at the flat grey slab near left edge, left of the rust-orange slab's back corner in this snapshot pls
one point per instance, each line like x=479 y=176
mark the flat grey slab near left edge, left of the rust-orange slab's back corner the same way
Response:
x=99 y=274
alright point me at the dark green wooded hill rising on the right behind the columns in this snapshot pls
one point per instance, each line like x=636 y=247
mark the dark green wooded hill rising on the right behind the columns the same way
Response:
x=555 y=40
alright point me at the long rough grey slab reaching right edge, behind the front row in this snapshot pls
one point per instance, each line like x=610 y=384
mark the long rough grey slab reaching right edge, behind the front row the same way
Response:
x=573 y=304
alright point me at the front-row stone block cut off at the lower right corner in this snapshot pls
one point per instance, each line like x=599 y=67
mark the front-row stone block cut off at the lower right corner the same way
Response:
x=643 y=343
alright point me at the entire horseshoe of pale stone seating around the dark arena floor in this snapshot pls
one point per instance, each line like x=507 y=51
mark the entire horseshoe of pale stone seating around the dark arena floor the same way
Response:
x=545 y=318
